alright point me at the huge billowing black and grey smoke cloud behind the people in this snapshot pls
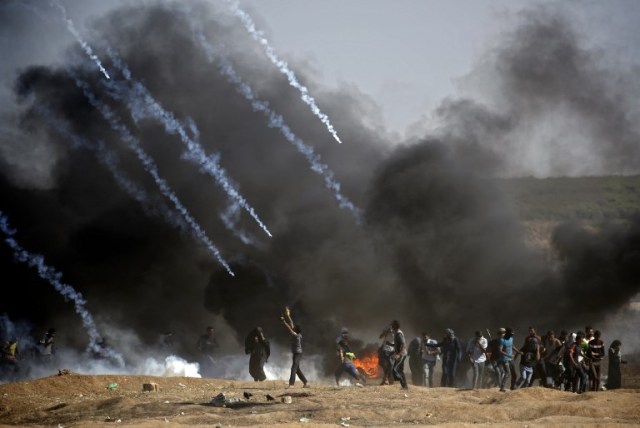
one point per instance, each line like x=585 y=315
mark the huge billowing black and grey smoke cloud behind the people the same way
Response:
x=441 y=245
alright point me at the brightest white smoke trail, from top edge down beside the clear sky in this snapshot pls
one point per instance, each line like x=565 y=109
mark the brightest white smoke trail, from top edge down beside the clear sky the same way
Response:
x=281 y=65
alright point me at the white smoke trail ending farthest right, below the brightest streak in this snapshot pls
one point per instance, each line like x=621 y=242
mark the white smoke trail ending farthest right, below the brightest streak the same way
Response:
x=277 y=121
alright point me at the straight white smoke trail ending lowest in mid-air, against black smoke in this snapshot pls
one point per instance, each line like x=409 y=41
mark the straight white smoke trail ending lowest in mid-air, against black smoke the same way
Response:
x=152 y=169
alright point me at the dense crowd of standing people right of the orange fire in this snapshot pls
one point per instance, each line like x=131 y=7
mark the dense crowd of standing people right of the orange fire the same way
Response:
x=569 y=361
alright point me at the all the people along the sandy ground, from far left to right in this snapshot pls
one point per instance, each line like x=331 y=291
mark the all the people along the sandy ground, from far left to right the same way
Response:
x=568 y=361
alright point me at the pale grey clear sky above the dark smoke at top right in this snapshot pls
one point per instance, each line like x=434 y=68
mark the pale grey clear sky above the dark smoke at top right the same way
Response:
x=407 y=54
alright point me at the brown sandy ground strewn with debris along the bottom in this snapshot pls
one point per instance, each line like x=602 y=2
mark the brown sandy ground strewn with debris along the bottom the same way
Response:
x=74 y=400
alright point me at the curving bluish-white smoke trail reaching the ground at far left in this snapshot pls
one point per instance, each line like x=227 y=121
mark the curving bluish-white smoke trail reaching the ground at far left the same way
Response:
x=68 y=292
